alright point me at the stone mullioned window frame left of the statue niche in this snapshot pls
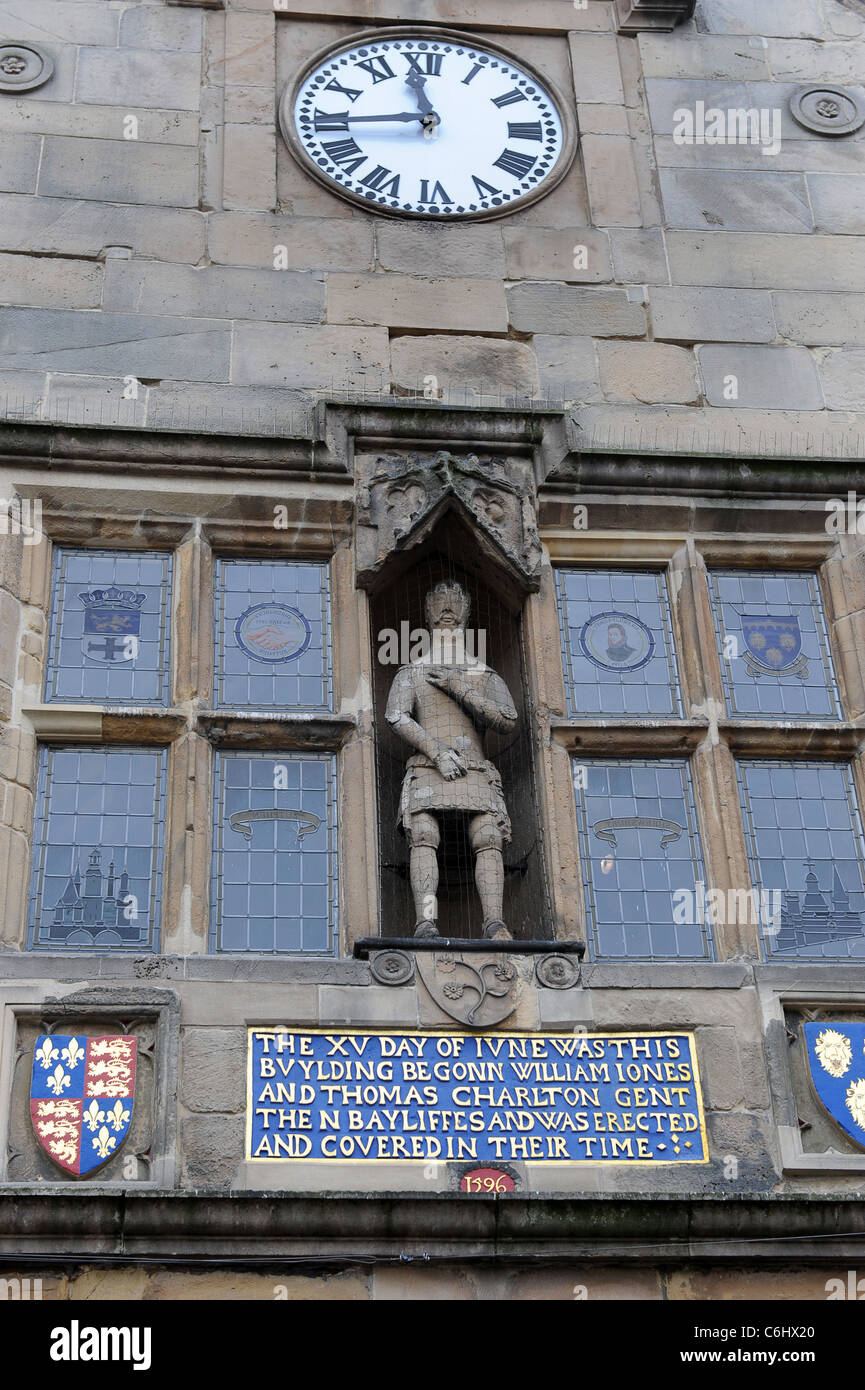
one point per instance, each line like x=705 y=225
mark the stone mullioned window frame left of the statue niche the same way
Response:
x=190 y=728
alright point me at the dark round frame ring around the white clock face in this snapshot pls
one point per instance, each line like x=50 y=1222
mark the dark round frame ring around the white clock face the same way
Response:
x=450 y=37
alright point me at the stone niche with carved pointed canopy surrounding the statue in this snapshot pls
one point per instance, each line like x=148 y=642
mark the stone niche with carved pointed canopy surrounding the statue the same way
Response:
x=425 y=519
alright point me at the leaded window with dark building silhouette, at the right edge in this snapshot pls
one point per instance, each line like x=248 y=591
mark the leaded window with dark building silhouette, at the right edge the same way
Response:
x=805 y=837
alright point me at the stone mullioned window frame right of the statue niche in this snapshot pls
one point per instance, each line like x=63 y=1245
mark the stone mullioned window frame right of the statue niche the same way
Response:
x=707 y=736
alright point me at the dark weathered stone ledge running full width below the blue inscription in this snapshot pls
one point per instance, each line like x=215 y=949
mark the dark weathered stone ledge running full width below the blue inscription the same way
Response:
x=643 y=1228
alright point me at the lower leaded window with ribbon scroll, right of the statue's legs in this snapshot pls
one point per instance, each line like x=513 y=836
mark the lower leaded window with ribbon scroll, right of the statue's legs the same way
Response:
x=643 y=867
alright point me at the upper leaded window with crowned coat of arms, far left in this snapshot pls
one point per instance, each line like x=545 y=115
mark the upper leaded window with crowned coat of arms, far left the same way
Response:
x=111 y=628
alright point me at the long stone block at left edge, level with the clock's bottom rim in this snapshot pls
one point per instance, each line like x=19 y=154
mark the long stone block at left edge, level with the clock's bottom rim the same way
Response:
x=55 y=226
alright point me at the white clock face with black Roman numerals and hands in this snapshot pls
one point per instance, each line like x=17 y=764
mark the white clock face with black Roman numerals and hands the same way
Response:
x=428 y=124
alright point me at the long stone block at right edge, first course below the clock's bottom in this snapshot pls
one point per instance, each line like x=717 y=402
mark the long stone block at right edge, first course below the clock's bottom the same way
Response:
x=766 y=262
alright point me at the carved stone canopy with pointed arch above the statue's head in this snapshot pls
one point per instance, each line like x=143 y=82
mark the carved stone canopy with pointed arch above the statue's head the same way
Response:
x=401 y=500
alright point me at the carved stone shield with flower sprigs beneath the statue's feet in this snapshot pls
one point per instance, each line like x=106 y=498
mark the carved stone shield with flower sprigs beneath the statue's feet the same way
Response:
x=476 y=990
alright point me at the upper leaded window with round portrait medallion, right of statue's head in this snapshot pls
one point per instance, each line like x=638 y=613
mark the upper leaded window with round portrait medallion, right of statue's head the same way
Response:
x=618 y=644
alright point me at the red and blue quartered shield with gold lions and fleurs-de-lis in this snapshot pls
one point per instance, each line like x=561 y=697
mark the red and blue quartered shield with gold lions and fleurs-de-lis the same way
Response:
x=81 y=1099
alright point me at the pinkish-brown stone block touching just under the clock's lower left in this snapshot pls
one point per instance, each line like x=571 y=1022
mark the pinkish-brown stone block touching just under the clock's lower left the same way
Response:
x=311 y=243
